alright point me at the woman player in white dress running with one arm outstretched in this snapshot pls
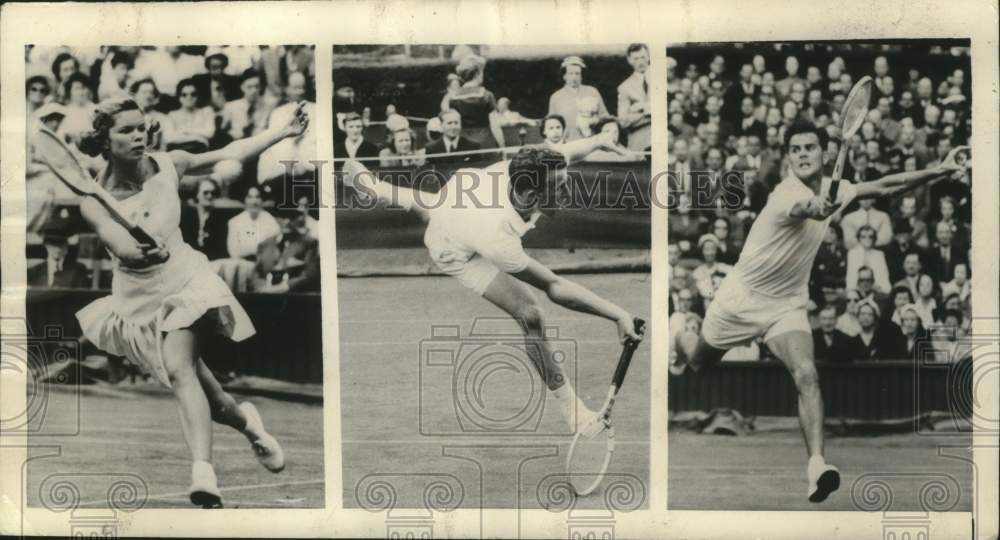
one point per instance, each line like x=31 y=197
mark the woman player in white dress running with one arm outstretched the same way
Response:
x=165 y=297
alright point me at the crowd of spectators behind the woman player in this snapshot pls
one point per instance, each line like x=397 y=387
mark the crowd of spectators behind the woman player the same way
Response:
x=195 y=99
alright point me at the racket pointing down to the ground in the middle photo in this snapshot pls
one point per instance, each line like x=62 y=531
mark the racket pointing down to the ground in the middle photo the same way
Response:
x=588 y=458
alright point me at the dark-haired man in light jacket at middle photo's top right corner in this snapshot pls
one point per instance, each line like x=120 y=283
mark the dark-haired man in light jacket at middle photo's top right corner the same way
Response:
x=633 y=99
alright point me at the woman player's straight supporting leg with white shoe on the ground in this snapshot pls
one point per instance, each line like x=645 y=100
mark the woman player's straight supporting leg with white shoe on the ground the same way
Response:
x=180 y=354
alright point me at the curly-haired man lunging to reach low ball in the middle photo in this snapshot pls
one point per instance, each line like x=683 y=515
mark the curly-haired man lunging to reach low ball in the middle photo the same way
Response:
x=474 y=231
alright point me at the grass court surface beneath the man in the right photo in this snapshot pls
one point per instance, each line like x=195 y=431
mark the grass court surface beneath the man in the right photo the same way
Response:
x=766 y=471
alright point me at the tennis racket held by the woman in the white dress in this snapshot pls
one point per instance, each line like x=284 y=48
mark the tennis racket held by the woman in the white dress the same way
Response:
x=56 y=155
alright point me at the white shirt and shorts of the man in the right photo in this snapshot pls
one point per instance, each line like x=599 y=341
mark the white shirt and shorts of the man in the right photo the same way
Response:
x=766 y=293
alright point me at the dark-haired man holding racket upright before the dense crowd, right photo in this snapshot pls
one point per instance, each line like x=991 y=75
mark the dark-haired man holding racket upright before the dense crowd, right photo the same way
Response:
x=766 y=293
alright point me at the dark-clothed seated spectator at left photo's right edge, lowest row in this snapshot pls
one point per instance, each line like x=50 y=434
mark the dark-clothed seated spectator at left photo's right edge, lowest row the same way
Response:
x=289 y=261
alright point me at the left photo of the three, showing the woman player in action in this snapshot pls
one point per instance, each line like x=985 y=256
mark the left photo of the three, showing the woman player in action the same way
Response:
x=173 y=301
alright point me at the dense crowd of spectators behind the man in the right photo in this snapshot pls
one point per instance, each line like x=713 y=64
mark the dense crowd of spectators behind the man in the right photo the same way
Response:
x=892 y=274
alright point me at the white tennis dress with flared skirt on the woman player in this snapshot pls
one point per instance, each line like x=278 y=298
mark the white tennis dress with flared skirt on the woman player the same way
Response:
x=146 y=303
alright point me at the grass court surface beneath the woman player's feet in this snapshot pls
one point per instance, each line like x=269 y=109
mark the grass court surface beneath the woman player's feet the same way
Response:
x=130 y=432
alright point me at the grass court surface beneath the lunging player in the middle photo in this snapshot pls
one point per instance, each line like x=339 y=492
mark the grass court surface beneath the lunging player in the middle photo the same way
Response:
x=398 y=403
